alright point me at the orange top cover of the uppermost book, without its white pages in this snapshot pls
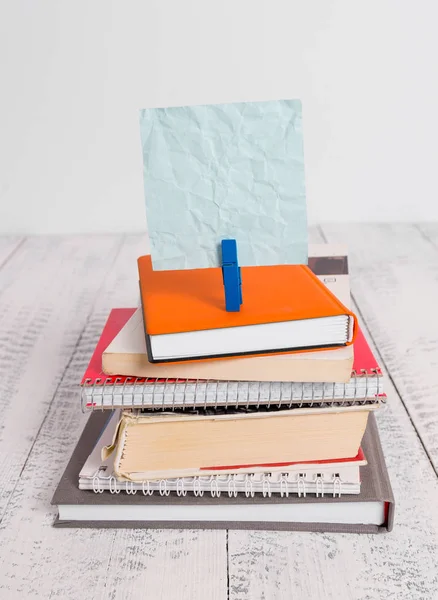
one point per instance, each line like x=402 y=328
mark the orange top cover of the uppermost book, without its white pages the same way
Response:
x=193 y=300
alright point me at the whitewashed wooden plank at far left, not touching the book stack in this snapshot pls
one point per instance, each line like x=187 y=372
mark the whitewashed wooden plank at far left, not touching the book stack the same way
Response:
x=47 y=291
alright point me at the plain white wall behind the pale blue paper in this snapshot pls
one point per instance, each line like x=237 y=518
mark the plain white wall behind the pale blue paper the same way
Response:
x=74 y=73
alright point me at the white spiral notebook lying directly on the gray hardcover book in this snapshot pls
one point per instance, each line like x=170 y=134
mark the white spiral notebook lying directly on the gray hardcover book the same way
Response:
x=321 y=478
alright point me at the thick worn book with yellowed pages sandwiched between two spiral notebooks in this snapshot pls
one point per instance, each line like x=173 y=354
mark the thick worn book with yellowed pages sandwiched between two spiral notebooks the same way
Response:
x=152 y=446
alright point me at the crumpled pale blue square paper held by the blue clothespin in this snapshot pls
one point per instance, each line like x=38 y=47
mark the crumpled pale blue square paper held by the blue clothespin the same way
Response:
x=225 y=171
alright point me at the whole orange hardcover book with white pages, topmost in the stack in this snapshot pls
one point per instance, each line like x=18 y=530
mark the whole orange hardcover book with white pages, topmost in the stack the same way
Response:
x=285 y=308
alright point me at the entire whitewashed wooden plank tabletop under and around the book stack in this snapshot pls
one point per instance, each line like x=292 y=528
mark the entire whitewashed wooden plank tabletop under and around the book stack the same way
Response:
x=55 y=294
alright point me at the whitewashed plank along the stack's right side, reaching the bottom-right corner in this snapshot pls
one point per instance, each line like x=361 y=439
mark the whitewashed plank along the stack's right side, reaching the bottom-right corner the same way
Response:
x=401 y=564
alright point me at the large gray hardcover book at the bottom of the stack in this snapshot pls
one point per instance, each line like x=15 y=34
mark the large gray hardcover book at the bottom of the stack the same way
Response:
x=371 y=511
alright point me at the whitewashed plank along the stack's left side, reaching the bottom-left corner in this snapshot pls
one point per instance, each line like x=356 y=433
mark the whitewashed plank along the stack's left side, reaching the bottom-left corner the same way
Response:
x=103 y=563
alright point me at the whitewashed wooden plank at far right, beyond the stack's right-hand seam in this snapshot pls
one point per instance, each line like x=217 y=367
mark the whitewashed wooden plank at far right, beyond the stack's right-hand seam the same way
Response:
x=394 y=278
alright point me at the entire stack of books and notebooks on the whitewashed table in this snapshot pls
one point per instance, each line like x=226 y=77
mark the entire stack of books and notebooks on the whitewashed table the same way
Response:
x=258 y=419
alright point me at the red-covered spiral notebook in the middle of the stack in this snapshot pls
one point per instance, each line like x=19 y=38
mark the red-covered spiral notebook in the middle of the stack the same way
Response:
x=104 y=391
